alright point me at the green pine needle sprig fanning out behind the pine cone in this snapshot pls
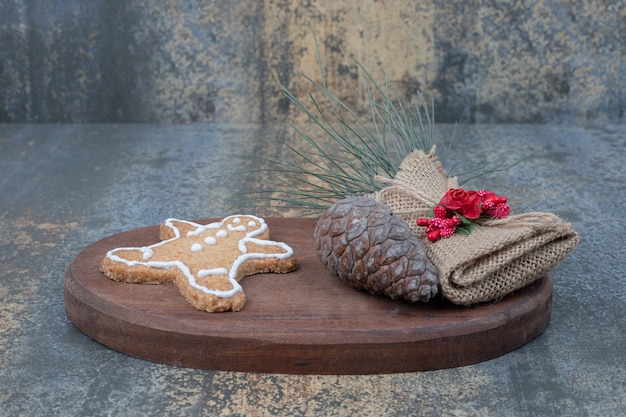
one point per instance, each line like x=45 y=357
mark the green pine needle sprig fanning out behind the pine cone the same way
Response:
x=354 y=150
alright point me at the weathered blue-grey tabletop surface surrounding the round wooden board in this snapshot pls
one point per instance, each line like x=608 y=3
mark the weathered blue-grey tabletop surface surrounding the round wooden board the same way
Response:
x=65 y=186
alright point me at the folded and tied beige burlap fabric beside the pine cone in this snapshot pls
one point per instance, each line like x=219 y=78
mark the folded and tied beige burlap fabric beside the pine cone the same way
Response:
x=497 y=258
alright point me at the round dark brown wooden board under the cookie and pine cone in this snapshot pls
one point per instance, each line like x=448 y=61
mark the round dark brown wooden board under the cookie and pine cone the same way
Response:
x=305 y=322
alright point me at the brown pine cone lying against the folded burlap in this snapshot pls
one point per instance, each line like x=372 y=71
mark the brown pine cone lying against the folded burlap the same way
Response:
x=371 y=249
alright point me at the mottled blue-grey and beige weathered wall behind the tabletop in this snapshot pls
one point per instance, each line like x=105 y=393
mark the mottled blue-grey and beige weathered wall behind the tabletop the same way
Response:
x=182 y=61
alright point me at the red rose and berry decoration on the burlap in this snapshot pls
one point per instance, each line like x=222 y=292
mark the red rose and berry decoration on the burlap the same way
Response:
x=458 y=207
